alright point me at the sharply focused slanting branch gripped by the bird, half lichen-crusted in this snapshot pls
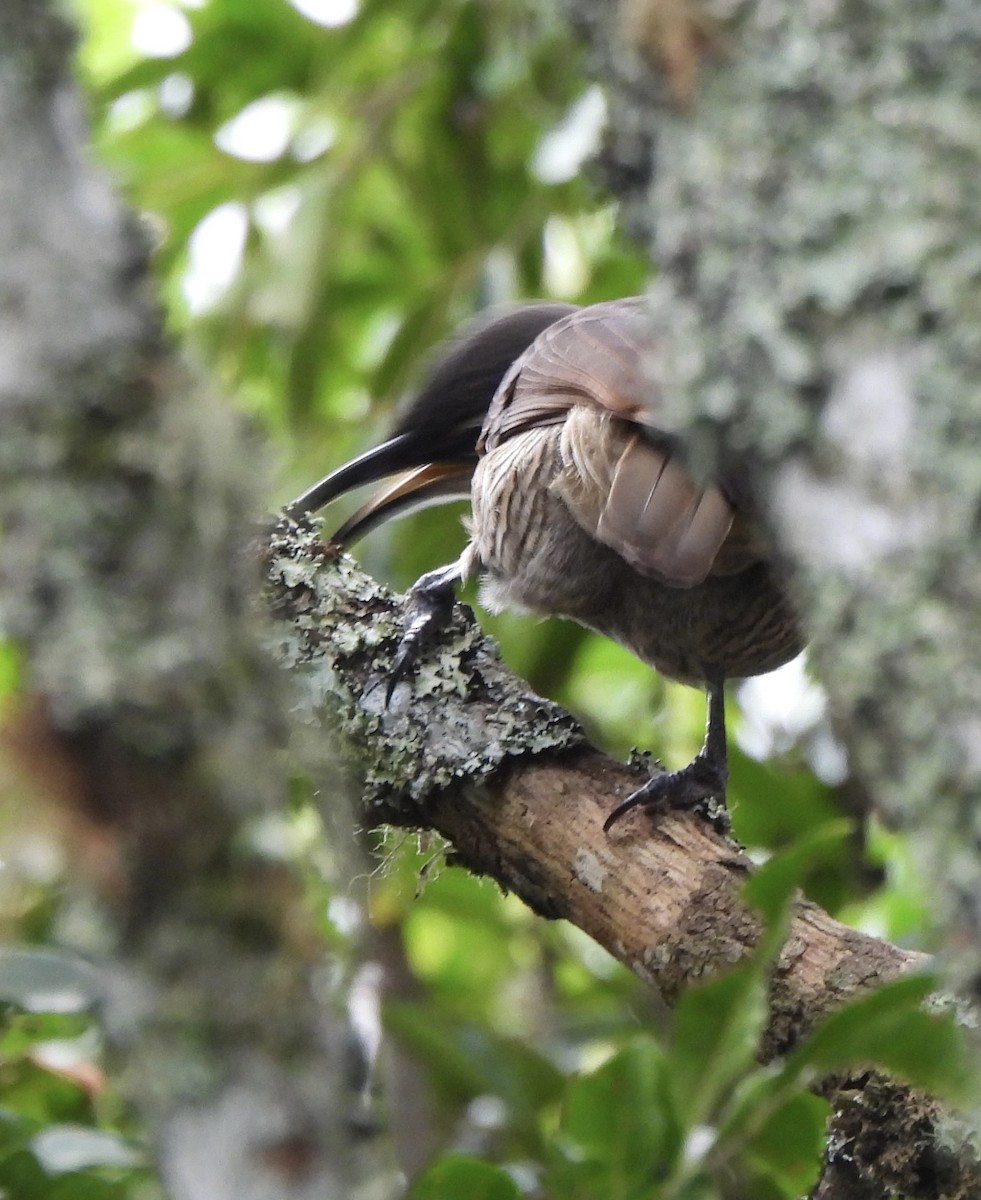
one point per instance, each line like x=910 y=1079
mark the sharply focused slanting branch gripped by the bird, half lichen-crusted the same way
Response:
x=466 y=751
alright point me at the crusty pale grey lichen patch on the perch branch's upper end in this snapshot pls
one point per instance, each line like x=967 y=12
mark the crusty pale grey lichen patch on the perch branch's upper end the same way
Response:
x=459 y=717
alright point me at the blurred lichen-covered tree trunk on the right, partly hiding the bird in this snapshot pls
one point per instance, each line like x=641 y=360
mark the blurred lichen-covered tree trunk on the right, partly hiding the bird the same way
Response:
x=809 y=202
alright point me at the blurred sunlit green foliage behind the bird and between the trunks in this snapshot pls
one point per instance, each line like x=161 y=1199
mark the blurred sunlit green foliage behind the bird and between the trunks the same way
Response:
x=332 y=189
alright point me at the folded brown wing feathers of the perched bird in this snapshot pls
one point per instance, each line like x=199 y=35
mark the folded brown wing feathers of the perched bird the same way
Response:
x=624 y=478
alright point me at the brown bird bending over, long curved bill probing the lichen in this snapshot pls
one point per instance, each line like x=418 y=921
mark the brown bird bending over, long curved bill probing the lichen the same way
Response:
x=583 y=507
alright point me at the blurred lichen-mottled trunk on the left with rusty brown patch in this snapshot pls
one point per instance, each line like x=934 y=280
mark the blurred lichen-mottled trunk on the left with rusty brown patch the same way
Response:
x=153 y=718
